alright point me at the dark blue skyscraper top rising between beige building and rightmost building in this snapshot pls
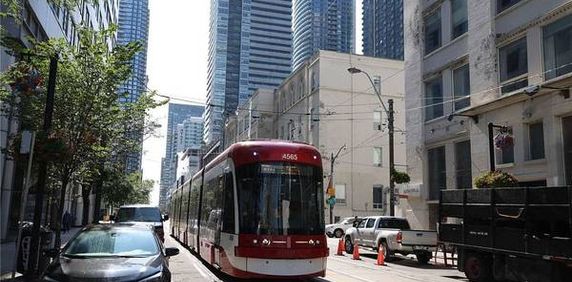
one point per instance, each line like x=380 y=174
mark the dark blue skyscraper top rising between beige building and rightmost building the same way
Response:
x=383 y=28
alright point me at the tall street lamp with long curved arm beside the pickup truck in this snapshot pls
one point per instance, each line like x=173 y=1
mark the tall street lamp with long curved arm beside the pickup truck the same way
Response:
x=389 y=111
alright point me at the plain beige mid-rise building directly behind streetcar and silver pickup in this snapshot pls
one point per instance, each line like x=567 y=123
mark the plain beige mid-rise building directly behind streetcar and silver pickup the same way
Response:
x=321 y=103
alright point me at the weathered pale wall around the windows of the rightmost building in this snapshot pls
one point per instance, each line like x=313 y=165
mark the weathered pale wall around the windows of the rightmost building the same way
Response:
x=487 y=32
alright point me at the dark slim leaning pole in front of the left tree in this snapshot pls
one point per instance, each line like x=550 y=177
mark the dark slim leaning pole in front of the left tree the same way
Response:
x=33 y=262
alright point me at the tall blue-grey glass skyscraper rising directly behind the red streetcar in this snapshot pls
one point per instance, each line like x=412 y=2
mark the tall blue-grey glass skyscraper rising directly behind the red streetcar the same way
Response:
x=250 y=47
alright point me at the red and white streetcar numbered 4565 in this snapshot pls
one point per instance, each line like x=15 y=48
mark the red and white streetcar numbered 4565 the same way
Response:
x=256 y=211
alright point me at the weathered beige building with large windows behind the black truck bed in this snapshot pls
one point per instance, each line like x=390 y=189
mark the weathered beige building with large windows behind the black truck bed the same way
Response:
x=471 y=63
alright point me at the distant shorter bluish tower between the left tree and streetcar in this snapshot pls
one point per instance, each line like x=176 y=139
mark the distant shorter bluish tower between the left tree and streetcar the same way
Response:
x=177 y=114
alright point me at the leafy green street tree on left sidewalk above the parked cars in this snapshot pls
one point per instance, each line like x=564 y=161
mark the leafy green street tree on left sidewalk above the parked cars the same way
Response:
x=91 y=124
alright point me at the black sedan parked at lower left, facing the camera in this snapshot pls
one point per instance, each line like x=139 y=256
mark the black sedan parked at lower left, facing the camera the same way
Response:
x=112 y=253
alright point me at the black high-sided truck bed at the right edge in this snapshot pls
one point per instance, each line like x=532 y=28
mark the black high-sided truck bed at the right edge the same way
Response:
x=525 y=221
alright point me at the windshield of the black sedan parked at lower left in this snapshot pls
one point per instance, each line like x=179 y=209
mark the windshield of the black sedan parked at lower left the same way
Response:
x=111 y=242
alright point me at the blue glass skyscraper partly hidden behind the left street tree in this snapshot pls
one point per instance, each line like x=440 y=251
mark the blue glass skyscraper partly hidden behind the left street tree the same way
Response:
x=134 y=26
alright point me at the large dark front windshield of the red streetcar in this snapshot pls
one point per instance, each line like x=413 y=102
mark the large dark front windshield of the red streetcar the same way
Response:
x=280 y=199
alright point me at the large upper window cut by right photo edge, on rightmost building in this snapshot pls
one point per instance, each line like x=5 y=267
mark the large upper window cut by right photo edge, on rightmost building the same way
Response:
x=558 y=48
